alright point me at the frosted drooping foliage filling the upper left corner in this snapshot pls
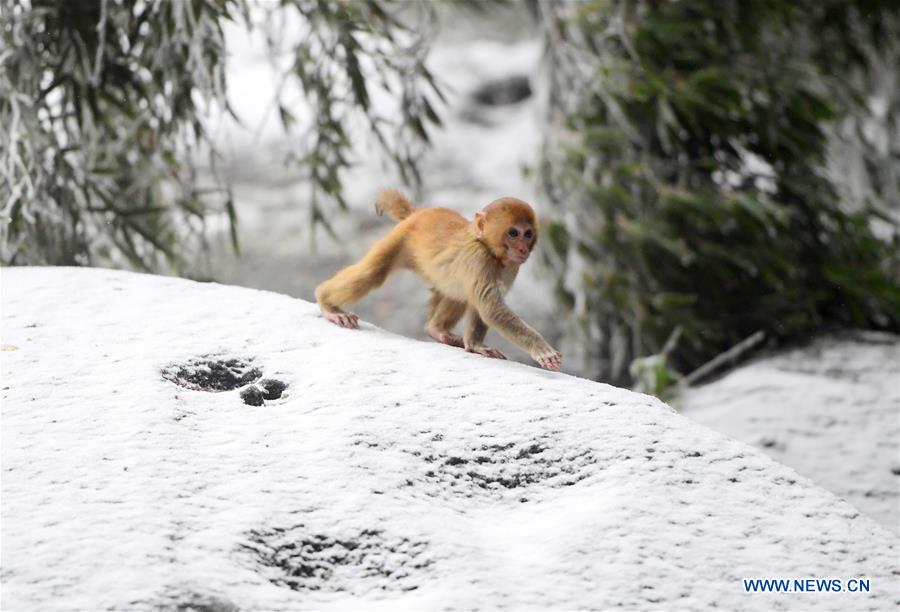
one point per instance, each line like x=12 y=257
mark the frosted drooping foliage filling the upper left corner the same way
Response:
x=100 y=106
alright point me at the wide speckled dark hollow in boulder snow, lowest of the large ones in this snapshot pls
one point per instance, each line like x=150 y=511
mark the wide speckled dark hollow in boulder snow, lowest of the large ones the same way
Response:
x=309 y=561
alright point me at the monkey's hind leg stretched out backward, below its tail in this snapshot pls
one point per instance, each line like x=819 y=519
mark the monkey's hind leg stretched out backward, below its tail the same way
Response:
x=353 y=282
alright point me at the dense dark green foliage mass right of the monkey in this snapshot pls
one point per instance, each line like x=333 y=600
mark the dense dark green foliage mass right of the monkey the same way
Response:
x=691 y=170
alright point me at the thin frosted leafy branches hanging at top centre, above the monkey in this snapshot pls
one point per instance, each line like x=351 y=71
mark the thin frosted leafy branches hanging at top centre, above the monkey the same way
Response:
x=352 y=49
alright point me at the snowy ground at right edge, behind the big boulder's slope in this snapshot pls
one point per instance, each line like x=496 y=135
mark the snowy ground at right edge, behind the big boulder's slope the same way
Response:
x=830 y=410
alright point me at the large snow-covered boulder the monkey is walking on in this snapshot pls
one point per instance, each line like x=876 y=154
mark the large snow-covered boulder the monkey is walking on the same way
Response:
x=390 y=474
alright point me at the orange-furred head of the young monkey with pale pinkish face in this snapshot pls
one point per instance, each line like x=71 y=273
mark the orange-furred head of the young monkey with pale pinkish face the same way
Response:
x=508 y=228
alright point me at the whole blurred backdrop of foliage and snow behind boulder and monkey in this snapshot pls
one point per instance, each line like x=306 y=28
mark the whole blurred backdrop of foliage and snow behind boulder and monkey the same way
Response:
x=717 y=182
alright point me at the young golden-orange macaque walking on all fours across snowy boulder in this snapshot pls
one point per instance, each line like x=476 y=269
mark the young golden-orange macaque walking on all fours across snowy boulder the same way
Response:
x=470 y=265
